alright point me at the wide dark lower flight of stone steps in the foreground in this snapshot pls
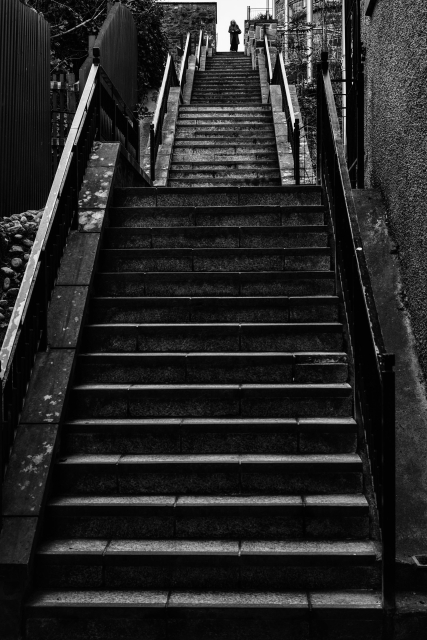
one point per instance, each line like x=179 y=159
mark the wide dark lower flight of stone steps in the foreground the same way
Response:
x=209 y=484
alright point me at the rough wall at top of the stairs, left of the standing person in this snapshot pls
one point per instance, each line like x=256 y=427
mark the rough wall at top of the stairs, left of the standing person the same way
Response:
x=181 y=17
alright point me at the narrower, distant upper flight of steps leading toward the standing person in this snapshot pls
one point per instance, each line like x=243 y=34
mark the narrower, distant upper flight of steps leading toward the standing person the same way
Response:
x=226 y=135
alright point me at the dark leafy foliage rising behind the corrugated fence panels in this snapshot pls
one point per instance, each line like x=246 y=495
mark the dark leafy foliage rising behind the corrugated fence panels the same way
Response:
x=72 y=23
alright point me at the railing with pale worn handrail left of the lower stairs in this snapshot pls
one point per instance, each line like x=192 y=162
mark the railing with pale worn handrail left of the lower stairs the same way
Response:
x=101 y=115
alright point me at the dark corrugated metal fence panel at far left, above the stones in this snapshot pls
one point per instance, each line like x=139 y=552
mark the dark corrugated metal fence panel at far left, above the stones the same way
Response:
x=25 y=137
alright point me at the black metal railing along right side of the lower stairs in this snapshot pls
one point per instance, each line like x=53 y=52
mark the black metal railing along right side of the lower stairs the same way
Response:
x=373 y=366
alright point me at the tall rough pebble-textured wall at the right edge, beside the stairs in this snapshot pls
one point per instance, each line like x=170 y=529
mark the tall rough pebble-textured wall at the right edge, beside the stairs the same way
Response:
x=396 y=133
